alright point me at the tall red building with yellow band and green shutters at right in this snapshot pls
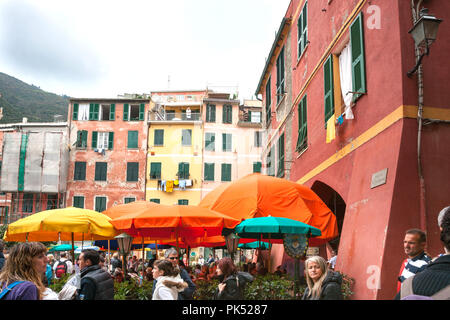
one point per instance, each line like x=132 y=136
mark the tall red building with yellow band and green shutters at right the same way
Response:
x=367 y=169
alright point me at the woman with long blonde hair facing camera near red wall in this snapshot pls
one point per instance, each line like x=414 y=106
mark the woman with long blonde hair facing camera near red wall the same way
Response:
x=323 y=284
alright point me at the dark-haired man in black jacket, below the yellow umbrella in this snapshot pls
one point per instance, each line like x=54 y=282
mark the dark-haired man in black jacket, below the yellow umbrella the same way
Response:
x=96 y=283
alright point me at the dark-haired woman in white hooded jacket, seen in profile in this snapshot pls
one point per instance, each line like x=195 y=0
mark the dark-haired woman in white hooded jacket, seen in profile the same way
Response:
x=168 y=281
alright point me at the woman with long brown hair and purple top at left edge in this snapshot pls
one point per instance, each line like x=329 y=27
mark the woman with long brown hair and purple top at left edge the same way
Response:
x=21 y=277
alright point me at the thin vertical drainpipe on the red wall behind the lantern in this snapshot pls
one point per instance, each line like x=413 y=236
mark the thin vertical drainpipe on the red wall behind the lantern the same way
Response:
x=422 y=200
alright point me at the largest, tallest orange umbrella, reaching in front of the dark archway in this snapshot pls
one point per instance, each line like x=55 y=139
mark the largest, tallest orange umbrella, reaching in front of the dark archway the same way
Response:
x=258 y=195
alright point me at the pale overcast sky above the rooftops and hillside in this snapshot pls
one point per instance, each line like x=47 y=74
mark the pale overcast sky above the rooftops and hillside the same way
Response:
x=96 y=48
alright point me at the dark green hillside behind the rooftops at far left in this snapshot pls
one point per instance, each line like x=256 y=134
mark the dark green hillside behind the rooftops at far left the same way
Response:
x=19 y=100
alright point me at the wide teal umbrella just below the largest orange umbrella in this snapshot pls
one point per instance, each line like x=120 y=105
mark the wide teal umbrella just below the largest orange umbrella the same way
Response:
x=273 y=228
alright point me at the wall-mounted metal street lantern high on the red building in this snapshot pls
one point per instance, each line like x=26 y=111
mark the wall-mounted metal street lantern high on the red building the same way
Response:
x=424 y=34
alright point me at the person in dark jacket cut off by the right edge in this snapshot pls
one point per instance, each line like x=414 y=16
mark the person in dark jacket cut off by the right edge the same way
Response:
x=434 y=281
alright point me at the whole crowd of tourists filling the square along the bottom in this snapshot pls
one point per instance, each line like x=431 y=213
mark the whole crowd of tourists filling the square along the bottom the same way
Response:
x=27 y=271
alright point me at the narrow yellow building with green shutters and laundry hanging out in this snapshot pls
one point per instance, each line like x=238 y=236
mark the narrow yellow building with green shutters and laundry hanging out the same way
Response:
x=174 y=159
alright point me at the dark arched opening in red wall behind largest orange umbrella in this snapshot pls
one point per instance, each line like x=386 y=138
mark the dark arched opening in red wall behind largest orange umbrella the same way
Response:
x=337 y=205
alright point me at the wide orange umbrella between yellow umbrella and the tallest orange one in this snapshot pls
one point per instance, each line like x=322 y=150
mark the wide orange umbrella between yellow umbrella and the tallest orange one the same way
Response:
x=176 y=221
